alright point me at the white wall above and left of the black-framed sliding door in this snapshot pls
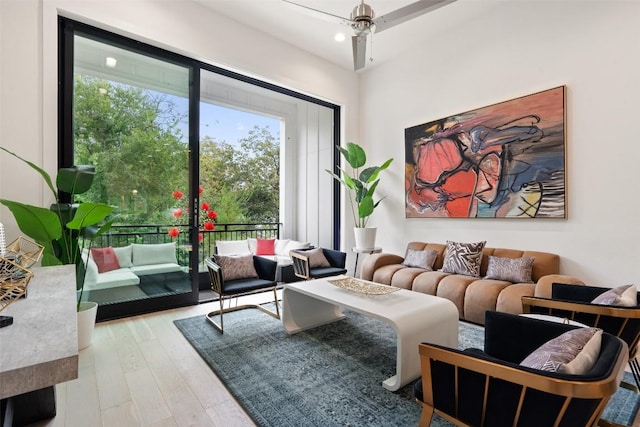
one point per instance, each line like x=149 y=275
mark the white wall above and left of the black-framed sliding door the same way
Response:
x=28 y=65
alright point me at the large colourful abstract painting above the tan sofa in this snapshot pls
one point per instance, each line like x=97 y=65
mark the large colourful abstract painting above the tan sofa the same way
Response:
x=505 y=160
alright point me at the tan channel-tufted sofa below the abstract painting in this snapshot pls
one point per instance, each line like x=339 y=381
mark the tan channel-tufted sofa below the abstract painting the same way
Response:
x=471 y=295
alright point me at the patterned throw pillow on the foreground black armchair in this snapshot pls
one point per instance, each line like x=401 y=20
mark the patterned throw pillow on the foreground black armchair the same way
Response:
x=574 y=352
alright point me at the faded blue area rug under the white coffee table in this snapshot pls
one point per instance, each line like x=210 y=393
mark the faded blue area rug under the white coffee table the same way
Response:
x=327 y=376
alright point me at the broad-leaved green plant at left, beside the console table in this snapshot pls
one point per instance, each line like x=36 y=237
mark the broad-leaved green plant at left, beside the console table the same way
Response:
x=66 y=229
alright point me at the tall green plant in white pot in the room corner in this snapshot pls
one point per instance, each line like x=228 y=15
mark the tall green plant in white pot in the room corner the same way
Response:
x=361 y=185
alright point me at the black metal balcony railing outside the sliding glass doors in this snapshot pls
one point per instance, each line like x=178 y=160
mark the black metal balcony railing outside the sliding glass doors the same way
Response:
x=123 y=235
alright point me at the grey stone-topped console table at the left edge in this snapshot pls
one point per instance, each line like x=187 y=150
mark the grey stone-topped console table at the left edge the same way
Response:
x=40 y=348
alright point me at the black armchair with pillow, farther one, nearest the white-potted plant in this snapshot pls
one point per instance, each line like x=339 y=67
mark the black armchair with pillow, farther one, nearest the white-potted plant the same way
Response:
x=318 y=262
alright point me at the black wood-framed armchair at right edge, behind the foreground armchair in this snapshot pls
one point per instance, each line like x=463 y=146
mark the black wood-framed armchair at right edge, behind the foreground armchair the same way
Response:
x=574 y=302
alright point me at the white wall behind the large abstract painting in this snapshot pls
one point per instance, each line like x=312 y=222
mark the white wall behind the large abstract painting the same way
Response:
x=514 y=49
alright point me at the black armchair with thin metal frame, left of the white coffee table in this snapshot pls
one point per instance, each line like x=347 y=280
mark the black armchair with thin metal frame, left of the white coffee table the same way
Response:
x=265 y=269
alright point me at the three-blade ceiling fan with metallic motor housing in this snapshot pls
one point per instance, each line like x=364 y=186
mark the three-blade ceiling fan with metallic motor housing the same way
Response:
x=363 y=21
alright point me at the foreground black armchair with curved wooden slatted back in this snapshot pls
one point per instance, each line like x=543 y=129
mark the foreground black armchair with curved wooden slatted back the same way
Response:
x=489 y=387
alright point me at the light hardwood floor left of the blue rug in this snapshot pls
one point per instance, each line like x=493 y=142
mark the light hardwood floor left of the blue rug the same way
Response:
x=140 y=371
